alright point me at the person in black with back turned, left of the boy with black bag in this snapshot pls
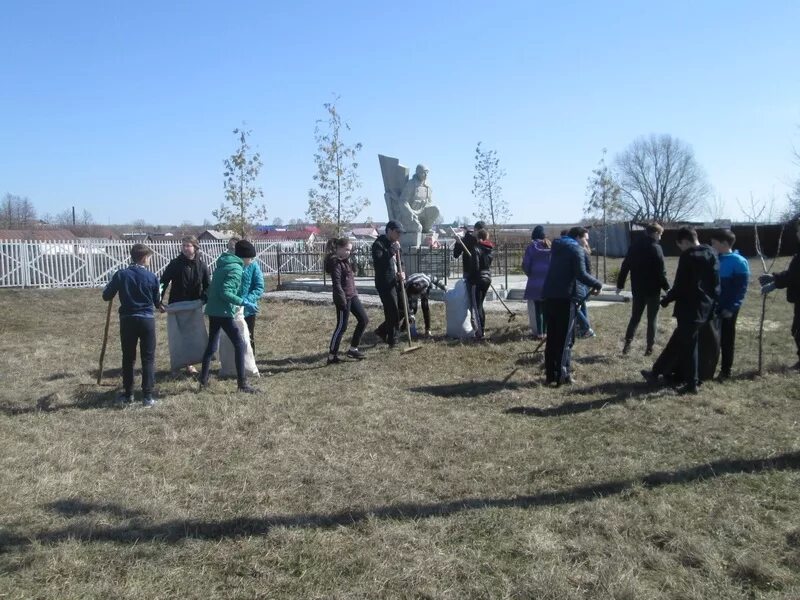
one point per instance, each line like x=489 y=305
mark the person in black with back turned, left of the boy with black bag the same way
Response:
x=645 y=263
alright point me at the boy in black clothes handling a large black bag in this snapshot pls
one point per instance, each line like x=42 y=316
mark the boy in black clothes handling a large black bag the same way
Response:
x=695 y=292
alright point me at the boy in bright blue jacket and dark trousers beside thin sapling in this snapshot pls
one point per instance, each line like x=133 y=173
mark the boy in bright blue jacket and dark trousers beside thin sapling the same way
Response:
x=734 y=276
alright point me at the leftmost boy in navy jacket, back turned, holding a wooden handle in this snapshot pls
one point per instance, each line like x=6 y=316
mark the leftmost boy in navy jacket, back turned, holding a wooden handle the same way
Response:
x=138 y=294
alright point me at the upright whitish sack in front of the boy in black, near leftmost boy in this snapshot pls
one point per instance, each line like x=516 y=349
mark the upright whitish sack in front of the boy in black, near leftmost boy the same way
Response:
x=186 y=331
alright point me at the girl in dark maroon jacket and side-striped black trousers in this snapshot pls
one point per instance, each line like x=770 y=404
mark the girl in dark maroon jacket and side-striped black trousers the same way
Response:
x=346 y=300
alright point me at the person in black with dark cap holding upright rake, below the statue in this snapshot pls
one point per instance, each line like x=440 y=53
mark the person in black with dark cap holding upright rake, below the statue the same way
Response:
x=385 y=259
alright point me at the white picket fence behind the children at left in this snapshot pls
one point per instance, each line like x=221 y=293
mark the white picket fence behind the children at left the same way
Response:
x=92 y=262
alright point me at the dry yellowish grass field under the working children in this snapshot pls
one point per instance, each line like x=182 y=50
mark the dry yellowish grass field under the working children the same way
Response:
x=450 y=472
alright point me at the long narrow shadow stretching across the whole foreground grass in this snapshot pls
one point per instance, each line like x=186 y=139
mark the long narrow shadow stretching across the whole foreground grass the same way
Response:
x=179 y=530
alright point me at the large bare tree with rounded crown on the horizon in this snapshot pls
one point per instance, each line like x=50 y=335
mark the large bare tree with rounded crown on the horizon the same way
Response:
x=661 y=180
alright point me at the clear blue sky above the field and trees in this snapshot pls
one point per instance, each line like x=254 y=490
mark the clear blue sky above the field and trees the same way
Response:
x=126 y=108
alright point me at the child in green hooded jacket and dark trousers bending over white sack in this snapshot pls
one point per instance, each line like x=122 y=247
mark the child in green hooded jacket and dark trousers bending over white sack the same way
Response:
x=223 y=300
